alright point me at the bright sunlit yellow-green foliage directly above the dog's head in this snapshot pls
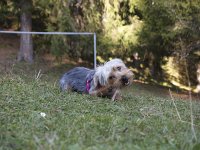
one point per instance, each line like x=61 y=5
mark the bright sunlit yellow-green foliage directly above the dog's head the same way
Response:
x=121 y=23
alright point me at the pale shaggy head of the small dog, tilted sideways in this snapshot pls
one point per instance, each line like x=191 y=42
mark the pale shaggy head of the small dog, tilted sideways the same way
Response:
x=113 y=73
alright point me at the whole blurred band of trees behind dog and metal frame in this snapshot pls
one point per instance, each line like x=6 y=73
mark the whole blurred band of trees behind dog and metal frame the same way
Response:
x=164 y=34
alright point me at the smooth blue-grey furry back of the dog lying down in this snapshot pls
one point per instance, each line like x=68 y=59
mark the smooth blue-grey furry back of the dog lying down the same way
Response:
x=75 y=79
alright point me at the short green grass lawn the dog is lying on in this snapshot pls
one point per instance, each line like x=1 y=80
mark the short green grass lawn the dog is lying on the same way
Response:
x=74 y=121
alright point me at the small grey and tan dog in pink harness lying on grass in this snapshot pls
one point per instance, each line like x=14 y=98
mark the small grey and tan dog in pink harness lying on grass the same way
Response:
x=106 y=80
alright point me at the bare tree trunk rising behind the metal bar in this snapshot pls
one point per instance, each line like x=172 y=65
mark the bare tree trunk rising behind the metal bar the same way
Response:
x=26 y=43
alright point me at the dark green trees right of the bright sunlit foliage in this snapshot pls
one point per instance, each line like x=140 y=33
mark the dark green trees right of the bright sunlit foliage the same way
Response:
x=170 y=29
